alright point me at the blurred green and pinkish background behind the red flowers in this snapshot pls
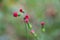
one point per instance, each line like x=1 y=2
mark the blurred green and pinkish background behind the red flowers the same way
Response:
x=12 y=28
